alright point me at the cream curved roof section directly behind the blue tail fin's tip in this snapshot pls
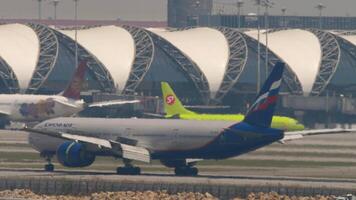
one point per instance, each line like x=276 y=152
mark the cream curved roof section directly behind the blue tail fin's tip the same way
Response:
x=300 y=49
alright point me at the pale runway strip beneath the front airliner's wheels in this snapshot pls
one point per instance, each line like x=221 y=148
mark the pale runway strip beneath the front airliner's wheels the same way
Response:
x=154 y=177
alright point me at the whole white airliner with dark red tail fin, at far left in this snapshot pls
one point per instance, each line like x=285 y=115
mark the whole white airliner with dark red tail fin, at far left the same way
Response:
x=35 y=108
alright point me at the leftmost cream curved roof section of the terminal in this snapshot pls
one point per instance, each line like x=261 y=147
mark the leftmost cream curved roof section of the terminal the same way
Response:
x=20 y=49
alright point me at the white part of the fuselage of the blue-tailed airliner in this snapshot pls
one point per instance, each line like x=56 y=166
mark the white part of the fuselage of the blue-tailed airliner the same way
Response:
x=156 y=135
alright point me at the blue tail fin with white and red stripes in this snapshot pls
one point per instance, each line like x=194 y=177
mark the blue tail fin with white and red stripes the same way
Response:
x=261 y=112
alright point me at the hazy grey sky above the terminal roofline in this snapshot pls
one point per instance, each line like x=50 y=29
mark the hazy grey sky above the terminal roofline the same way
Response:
x=156 y=9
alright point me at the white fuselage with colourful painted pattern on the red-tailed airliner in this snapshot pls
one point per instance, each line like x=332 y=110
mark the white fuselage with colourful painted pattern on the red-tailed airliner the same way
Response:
x=25 y=108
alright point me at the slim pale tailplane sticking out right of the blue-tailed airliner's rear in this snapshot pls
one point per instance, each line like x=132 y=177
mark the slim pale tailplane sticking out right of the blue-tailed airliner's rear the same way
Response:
x=294 y=135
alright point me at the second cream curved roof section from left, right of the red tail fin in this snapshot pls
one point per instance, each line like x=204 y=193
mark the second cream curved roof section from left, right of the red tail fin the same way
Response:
x=113 y=46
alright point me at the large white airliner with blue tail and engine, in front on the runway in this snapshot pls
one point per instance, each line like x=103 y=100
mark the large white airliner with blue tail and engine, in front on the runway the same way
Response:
x=175 y=143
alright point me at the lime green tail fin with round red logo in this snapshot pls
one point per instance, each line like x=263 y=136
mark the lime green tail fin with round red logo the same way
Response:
x=172 y=105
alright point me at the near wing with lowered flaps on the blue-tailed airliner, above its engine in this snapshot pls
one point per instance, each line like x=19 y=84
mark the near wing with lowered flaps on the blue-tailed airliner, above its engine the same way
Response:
x=126 y=151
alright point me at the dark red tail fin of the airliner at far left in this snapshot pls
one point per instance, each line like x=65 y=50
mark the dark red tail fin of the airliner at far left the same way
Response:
x=75 y=86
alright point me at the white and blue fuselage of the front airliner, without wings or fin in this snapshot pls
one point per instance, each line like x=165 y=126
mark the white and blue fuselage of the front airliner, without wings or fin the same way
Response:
x=165 y=139
